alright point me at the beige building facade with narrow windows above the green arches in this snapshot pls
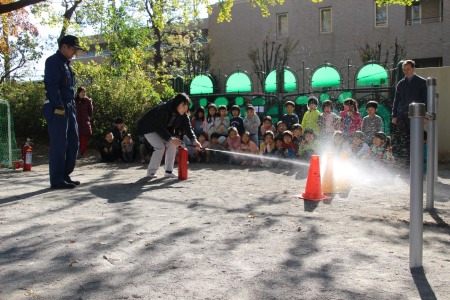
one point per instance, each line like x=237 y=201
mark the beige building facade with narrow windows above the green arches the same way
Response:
x=332 y=31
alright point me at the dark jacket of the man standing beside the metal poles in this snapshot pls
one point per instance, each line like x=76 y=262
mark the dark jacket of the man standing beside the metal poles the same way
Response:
x=408 y=92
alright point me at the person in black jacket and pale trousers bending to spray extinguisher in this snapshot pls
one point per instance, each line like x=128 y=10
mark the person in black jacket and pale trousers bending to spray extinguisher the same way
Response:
x=159 y=126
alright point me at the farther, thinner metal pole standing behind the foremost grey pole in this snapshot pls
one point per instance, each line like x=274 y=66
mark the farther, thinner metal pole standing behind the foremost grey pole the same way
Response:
x=431 y=135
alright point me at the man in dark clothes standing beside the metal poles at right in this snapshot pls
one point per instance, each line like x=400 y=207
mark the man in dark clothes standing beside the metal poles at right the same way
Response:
x=412 y=88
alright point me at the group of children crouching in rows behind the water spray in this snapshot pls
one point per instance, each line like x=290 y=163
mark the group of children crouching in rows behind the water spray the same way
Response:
x=224 y=139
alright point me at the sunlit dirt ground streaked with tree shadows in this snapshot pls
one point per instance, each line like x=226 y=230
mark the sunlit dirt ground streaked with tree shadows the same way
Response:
x=228 y=232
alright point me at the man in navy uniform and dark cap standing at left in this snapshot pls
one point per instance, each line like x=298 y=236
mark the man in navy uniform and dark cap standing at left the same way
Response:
x=59 y=112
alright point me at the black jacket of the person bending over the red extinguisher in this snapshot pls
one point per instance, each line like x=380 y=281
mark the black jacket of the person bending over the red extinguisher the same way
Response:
x=165 y=121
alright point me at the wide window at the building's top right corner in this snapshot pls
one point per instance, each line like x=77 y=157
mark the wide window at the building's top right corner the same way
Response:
x=422 y=12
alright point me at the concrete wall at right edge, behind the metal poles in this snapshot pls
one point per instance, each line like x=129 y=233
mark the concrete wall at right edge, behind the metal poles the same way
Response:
x=442 y=76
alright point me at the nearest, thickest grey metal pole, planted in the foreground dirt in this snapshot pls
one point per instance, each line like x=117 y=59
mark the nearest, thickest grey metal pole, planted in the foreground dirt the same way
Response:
x=416 y=115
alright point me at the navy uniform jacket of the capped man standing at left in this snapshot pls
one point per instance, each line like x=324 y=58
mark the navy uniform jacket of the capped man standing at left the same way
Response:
x=59 y=81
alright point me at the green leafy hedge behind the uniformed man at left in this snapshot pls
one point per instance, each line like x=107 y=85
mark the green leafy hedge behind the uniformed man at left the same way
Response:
x=125 y=95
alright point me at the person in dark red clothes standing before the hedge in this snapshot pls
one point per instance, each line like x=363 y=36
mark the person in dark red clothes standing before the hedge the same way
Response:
x=84 y=113
